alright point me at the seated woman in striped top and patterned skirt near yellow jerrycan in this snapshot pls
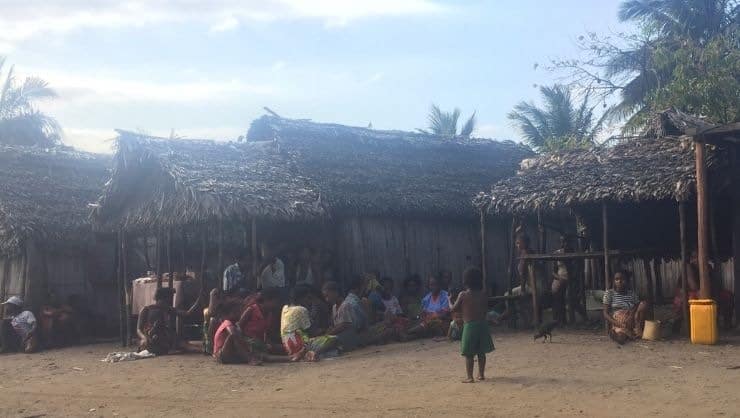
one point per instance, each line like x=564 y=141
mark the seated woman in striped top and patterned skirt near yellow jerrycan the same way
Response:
x=623 y=311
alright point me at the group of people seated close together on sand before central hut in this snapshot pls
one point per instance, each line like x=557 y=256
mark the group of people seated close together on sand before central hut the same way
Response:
x=325 y=322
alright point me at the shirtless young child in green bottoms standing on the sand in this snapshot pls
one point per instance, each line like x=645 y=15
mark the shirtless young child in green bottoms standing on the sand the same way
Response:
x=476 y=338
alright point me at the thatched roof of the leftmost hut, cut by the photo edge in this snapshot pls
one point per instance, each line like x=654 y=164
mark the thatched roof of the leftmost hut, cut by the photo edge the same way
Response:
x=45 y=194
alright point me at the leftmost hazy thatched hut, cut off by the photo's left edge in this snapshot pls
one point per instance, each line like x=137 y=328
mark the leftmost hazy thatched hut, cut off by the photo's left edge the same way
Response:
x=47 y=244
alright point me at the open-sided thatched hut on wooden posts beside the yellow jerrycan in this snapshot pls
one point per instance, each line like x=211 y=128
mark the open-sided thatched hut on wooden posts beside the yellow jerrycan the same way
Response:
x=631 y=205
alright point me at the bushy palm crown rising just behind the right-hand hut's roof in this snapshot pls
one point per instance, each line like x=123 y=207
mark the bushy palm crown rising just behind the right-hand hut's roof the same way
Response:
x=559 y=123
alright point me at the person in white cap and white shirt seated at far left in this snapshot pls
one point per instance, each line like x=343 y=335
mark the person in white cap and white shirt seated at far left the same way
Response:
x=18 y=328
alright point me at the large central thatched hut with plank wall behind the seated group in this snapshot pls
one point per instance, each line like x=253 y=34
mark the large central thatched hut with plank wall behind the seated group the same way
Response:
x=391 y=201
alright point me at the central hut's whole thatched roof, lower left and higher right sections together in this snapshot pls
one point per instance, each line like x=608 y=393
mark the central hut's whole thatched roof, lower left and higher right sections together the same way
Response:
x=296 y=169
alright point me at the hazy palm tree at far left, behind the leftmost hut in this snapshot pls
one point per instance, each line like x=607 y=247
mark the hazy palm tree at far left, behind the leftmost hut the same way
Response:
x=20 y=122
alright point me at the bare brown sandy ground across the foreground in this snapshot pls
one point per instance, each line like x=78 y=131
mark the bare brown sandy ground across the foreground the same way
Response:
x=579 y=373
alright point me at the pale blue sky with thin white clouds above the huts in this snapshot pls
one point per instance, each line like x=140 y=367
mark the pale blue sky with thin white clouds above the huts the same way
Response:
x=207 y=69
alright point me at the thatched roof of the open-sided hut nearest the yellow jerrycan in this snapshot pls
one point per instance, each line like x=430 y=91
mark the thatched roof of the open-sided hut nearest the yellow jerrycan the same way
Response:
x=655 y=166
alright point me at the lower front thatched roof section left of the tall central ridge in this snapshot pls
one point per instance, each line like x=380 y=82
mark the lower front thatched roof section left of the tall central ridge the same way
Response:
x=159 y=181
